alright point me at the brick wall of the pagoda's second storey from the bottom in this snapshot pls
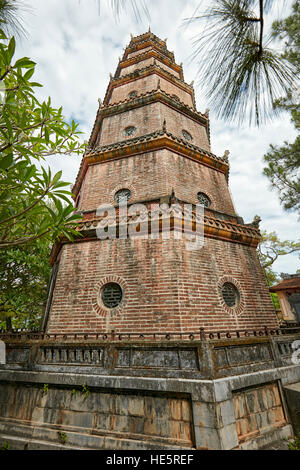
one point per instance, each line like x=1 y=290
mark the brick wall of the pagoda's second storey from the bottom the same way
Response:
x=152 y=175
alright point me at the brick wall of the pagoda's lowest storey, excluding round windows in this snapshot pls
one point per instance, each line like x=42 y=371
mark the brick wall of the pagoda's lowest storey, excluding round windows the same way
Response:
x=165 y=287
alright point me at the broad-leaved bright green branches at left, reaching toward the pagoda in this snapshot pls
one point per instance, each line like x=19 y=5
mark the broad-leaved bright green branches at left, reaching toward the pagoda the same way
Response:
x=30 y=131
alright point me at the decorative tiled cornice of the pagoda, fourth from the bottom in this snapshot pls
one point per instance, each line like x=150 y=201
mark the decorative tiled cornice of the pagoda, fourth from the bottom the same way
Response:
x=144 y=72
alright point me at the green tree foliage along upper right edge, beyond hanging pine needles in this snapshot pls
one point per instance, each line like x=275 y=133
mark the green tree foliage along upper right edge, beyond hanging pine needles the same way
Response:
x=283 y=163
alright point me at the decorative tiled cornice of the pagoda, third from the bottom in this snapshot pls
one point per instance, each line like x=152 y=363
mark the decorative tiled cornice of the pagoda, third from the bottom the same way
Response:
x=143 y=99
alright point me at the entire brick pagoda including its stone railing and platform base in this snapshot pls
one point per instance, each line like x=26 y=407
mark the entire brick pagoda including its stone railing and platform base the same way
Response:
x=152 y=340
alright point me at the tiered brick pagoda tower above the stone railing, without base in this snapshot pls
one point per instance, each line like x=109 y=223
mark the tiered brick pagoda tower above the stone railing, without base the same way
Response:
x=149 y=145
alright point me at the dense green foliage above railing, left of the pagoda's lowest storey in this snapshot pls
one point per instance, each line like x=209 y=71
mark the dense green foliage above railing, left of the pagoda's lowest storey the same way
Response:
x=24 y=276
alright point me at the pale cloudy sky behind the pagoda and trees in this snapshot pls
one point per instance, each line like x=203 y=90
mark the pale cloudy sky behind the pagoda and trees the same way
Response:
x=76 y=46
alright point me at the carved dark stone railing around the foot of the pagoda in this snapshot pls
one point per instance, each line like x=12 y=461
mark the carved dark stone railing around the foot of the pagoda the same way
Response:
x=188 y=355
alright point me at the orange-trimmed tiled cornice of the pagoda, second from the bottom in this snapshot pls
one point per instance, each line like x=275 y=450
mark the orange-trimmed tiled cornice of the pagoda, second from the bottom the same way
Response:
x=147 y=143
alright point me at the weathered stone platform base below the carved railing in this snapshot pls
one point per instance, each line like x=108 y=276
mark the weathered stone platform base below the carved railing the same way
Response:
x=55 y=410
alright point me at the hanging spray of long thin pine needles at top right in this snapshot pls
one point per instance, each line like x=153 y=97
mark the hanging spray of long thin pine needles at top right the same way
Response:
x=242 y=74
